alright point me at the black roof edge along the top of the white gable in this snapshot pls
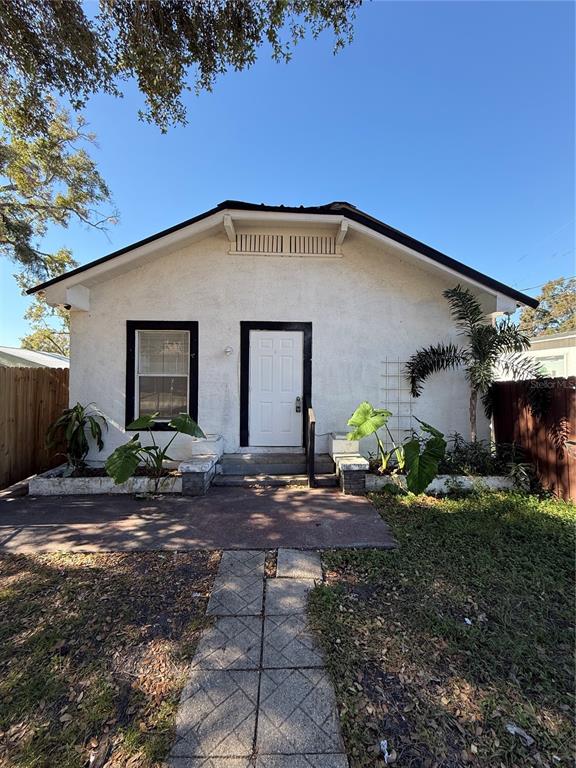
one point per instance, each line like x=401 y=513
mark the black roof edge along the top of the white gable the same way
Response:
x=335 y=209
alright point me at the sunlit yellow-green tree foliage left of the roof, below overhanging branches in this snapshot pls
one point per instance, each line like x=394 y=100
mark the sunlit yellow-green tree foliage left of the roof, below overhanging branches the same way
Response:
x=48 y=179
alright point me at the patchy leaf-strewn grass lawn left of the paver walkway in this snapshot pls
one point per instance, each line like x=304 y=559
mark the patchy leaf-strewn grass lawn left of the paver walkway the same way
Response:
x=94 y=651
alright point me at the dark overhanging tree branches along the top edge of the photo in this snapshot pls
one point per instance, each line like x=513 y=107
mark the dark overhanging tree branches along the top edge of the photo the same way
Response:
x=53 y=47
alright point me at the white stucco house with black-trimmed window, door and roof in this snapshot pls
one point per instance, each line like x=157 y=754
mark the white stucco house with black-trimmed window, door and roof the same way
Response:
x=246 y=314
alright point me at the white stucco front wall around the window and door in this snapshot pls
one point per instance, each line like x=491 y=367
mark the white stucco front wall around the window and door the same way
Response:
x=365 y=306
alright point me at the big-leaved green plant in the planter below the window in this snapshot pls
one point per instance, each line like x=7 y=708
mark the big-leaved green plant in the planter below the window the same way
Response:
x=125 y=460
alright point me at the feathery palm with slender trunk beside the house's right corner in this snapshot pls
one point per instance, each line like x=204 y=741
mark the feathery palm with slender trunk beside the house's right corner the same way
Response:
x=490 y=349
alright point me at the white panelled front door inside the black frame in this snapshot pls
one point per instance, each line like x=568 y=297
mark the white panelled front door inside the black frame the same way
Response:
x=276 y=379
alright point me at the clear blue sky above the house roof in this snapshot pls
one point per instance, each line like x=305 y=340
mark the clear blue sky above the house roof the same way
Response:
x=452 y=121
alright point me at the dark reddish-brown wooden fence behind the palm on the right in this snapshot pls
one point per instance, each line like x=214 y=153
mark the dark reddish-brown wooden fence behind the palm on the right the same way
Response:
x=547 y=441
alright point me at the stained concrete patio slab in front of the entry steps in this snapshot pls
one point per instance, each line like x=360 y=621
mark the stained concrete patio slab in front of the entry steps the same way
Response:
x=227 y=518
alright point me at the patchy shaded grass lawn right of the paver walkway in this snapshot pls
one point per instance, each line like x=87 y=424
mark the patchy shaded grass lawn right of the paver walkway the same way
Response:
x=464 y=630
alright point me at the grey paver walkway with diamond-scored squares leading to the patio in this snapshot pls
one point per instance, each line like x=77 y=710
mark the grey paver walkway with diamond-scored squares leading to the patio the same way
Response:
x=258 y=695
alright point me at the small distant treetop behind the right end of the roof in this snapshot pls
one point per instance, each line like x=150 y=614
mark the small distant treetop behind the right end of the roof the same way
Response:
x=555 y=313
